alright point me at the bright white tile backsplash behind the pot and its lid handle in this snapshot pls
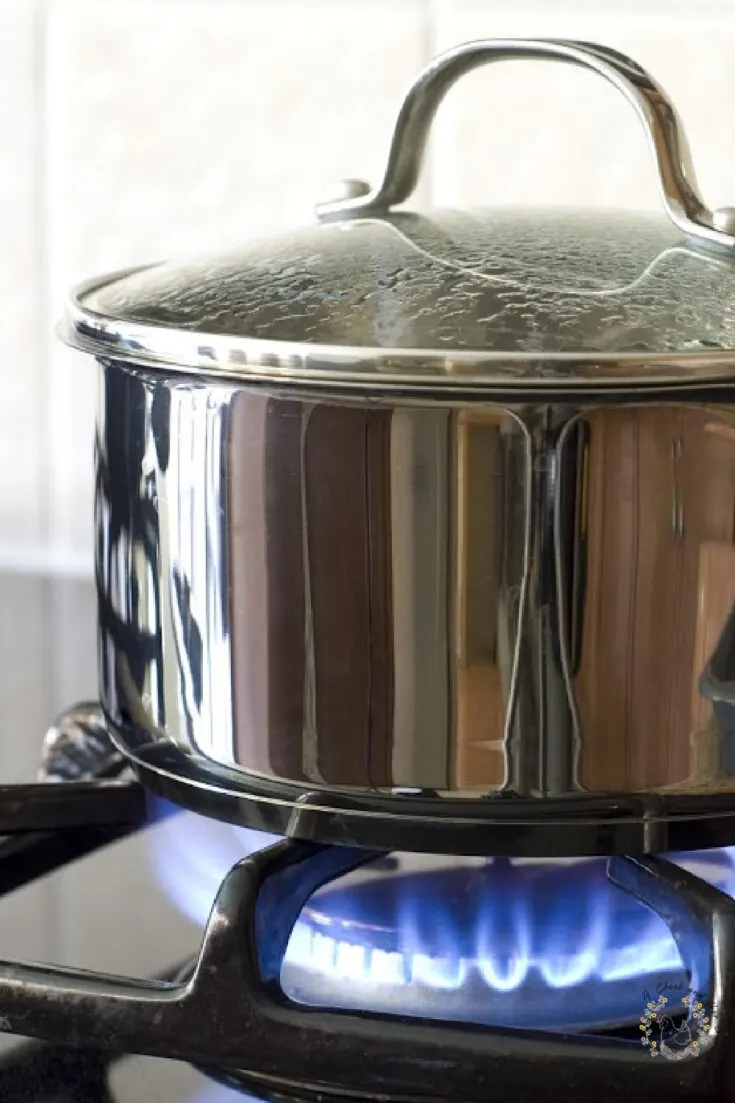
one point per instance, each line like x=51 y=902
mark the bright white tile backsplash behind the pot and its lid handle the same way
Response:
x=132 y=131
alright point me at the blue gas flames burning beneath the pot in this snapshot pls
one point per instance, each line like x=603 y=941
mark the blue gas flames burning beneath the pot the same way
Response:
x=525 y=944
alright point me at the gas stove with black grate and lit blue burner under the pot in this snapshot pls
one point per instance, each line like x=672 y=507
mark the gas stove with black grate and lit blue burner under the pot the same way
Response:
x=529 y=977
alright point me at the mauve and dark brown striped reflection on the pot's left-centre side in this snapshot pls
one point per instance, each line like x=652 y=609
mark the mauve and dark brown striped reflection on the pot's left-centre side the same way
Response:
x=311 y=620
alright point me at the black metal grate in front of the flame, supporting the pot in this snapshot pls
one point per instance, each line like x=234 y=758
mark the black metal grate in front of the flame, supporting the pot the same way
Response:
x=232 y=1011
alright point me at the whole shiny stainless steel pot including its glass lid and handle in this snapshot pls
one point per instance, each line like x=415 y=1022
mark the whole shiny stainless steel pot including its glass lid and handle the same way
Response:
x=419 y=531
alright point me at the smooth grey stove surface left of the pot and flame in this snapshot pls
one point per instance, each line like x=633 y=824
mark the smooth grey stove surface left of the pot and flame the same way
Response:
x=104 y=913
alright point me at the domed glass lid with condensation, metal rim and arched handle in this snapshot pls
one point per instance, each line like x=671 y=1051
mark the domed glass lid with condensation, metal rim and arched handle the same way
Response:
x=377 y=298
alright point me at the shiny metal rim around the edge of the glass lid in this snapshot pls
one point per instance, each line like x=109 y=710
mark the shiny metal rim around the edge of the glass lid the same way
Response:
x=372 y=370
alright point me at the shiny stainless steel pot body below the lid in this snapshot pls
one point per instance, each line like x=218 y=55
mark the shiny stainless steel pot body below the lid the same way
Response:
x=483 y=627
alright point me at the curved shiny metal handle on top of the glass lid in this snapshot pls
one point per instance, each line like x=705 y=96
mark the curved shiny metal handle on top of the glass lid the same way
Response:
x=666 y=134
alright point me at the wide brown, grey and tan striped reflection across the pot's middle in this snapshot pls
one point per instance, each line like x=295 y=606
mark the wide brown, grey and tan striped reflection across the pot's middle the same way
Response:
x=381 y=556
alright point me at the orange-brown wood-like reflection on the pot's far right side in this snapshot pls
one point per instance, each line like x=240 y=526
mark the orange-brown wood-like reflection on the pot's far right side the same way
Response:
x=661 y=584
